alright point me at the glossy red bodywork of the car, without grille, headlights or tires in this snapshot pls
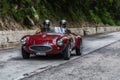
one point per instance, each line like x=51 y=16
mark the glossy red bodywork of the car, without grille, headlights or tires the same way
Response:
x=51 y=40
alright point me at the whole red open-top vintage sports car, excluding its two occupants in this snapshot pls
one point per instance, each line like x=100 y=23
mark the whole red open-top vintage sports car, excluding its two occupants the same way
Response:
x=51 y=43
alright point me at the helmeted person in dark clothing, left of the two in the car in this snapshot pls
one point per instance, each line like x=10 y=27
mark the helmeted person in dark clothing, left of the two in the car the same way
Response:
x=45 y=28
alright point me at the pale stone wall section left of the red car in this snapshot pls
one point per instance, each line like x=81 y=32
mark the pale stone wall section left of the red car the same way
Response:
x=11 y=39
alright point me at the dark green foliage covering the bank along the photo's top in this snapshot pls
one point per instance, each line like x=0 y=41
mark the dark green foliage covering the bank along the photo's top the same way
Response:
x=106 y=11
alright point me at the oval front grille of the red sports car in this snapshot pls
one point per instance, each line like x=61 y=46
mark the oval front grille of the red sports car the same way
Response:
x=40 y=48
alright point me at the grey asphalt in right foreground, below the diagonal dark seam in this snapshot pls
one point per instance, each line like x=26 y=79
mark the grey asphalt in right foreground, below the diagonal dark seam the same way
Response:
x=103 y=64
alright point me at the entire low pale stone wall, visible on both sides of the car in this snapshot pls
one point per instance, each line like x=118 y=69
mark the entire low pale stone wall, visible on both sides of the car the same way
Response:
x=11 y=39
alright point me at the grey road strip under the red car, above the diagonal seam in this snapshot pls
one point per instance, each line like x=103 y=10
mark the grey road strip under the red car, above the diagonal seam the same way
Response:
x=13 y=67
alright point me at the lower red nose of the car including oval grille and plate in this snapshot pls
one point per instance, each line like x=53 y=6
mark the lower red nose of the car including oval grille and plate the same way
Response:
x=44 y=49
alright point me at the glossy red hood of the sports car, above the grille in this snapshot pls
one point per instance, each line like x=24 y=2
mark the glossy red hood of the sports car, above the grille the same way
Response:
x=44 y=38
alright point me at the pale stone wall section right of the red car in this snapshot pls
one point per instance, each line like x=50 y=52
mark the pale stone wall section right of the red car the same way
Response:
x=94 y=30
